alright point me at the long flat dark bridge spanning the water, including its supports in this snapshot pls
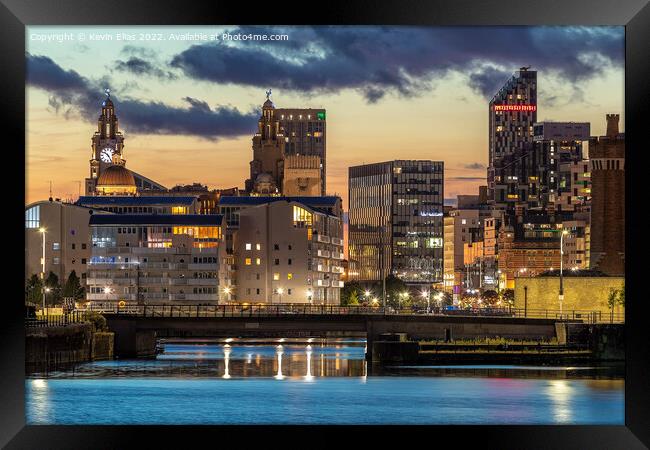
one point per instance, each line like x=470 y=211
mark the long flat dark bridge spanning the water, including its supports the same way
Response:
x=137 y=328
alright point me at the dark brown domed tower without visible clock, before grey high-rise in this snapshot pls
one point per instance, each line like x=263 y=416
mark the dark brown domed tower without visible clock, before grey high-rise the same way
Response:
x=268 y=150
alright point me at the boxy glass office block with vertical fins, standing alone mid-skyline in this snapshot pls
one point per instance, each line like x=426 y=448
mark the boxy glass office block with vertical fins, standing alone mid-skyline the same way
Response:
x=396 y=220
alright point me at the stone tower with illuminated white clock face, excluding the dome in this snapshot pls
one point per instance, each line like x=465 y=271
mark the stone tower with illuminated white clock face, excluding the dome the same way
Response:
x=106 y=143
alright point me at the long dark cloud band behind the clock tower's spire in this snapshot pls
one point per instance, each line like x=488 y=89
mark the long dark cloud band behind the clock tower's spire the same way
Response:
x=69 y=92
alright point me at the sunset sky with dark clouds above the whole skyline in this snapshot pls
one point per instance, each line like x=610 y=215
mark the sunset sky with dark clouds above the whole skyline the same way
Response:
x=188 y=108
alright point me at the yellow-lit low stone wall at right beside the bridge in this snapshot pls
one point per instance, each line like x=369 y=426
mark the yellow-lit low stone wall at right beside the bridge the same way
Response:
x=580 y=293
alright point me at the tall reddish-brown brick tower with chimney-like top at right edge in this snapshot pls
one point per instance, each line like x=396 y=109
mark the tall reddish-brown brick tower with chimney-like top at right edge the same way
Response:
x=607 y=160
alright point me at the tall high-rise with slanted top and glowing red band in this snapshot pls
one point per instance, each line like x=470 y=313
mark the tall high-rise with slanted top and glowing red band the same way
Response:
x=512 y=113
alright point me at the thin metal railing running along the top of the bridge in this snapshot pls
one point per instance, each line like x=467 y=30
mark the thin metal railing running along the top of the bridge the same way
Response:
x=234 y=310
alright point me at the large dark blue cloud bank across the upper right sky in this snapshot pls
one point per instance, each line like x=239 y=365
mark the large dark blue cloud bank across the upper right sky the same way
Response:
x=401 y=60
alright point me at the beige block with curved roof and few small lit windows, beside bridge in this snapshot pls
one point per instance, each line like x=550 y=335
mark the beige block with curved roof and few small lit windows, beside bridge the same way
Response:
x=288 y=252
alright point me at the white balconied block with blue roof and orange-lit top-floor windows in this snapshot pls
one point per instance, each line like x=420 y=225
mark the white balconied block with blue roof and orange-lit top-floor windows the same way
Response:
x=149 y=259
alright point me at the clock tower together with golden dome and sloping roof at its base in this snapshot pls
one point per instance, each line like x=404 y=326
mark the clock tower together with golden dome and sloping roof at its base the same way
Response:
x=107 y=159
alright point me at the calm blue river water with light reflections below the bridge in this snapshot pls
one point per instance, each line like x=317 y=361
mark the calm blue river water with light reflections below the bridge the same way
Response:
x=320 y=382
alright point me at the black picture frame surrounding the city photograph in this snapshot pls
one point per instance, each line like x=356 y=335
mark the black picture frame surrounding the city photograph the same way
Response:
x=633 y=14
